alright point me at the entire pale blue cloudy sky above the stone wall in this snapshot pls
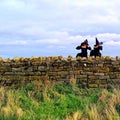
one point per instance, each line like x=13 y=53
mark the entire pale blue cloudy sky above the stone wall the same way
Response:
x=55 y=27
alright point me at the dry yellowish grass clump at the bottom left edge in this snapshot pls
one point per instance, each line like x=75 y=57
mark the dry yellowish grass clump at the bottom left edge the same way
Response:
x=8 y=104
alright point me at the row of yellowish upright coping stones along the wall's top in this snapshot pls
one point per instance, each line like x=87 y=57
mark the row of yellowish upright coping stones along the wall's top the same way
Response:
x=59 y=58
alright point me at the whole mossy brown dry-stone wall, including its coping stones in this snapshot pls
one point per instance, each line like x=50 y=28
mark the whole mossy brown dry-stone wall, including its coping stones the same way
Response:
x=90 y=72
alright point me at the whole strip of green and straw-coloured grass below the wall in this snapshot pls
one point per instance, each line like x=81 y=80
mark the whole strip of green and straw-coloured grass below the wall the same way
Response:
x=58 y=102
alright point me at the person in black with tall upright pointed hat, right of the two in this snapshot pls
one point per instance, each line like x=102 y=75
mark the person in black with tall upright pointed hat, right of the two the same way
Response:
x=97 y=47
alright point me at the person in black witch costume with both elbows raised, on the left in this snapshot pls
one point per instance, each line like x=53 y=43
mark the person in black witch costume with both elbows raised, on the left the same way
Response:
x=84 y=47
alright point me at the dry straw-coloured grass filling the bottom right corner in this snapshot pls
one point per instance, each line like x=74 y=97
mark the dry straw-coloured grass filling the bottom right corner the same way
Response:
x=92 y=111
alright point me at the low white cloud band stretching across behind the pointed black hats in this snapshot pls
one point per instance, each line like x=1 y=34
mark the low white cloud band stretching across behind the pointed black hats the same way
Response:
x=61 y=38
